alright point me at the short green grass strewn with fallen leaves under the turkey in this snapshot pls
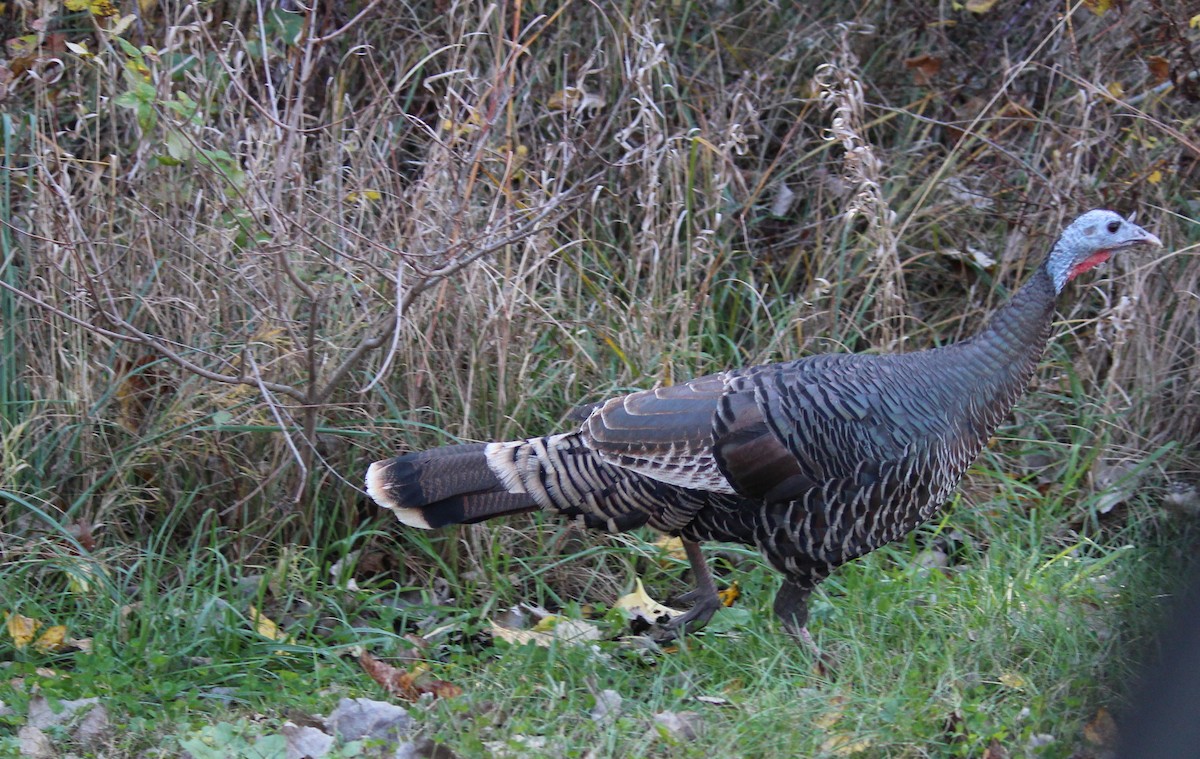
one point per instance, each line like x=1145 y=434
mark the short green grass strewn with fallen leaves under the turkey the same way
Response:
x=1027 y=632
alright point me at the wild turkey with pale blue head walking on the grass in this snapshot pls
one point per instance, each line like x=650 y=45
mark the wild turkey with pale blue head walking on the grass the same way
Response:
x=814 y=462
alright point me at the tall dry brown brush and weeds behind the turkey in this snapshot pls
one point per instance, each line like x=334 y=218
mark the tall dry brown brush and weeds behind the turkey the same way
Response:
x=248 y=250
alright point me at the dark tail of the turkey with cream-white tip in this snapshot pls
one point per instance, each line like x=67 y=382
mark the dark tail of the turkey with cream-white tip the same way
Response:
x=451 y=486
